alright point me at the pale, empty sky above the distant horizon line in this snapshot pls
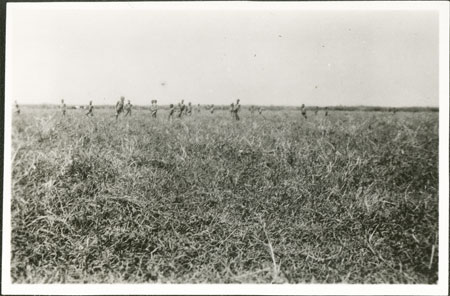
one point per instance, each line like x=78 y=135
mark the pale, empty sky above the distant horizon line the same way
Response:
x=215 y=56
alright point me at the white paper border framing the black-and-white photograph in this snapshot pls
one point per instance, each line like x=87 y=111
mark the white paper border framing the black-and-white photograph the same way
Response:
x=441 y=288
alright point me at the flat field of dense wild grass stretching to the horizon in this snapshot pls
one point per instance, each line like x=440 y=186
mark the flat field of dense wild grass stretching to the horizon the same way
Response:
x=352 y=197
